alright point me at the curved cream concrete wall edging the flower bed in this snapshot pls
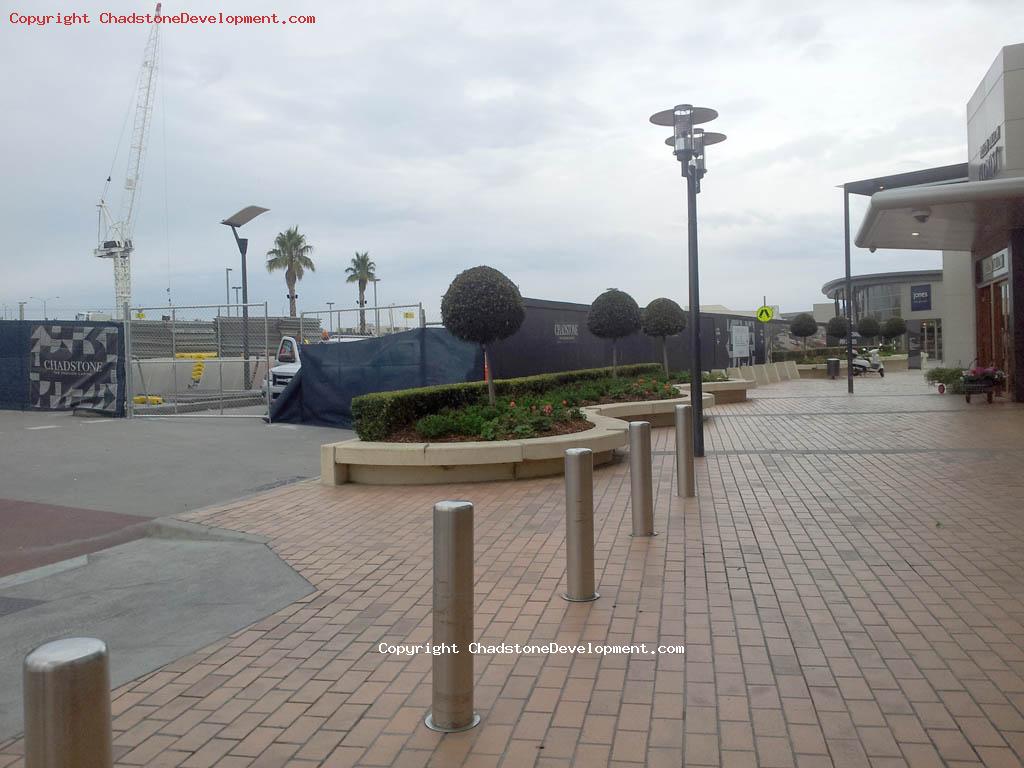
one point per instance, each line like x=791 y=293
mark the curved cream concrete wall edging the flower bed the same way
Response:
x=438 y=463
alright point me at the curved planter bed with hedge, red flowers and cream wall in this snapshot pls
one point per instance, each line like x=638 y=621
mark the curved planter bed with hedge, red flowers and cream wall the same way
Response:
x=553 y=413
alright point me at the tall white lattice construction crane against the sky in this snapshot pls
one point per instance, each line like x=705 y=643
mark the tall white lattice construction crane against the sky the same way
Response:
x=115 y=236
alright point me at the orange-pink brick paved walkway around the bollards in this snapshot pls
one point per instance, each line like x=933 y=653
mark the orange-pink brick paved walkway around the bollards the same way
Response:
x=849 y=587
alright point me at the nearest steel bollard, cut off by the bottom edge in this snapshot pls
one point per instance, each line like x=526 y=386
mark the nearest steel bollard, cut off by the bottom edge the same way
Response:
x=67 y=688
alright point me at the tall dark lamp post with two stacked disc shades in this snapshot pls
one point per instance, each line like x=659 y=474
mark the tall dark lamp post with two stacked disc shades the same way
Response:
x=689 y=146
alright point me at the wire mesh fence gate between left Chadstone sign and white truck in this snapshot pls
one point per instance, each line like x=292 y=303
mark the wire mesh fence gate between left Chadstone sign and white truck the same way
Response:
x=202 y=361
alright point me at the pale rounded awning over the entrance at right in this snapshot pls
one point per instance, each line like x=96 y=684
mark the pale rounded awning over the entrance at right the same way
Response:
x=945 y=218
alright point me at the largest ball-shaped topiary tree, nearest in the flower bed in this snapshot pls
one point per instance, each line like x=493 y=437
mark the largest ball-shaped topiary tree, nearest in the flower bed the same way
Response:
x=483 y=306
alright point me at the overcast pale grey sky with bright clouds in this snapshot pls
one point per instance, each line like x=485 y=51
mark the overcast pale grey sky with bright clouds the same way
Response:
x=439 y=137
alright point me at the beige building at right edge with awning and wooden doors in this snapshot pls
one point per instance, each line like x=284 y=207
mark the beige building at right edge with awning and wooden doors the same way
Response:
x=976 y=222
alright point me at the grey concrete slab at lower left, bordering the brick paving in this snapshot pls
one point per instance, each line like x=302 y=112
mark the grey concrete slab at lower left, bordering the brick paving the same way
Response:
x=152 y=601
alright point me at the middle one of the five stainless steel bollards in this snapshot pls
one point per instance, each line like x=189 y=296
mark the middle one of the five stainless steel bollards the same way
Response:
x=580 y=526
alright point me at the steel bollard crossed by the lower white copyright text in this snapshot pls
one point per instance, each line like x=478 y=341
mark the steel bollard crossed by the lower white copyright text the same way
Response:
x=452 y=702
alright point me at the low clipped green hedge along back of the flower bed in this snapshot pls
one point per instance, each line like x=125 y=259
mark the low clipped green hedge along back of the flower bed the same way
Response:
x=378 y=415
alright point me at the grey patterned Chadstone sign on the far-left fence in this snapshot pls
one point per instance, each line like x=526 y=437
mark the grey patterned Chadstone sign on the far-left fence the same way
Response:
x=76 y=366
